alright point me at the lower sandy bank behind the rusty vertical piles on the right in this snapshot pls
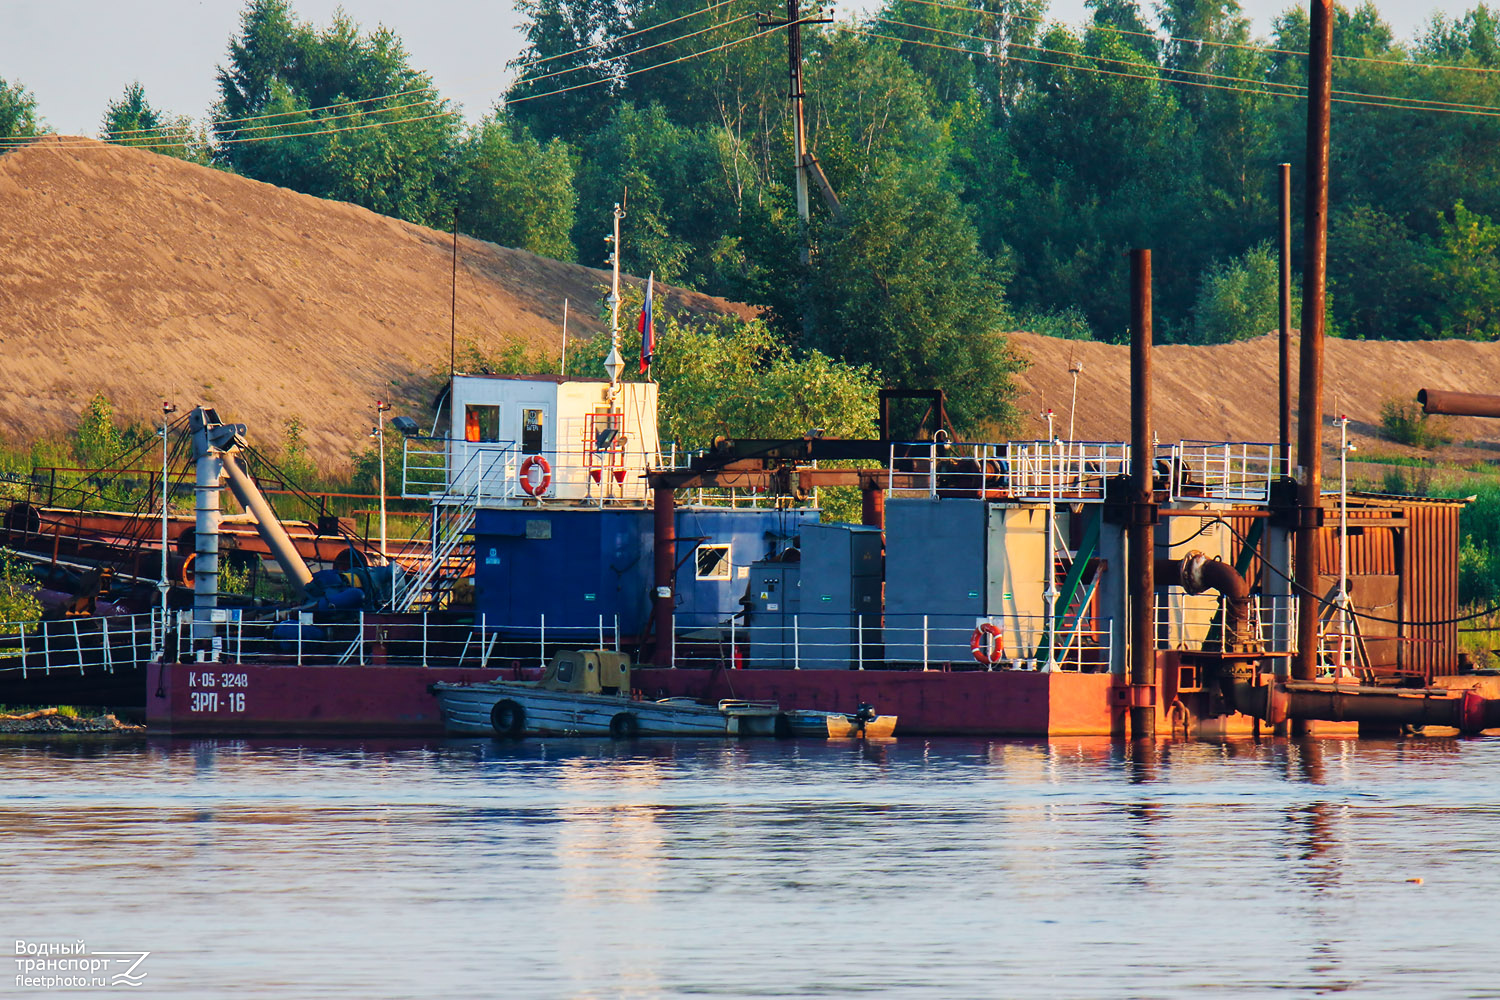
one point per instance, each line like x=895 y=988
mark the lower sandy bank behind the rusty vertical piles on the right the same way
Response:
x=1231 y=392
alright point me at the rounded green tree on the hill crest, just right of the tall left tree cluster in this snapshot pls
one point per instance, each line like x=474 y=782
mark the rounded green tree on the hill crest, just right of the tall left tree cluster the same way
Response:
x=517 y=191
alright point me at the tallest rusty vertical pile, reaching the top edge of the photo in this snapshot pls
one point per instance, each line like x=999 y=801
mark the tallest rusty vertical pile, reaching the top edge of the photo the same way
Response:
x=1310 y=383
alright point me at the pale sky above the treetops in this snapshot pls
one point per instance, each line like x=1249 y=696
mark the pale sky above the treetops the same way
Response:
x=79 y=55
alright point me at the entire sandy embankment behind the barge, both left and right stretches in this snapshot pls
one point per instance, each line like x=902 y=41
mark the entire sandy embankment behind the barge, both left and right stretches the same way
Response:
x=151 y=278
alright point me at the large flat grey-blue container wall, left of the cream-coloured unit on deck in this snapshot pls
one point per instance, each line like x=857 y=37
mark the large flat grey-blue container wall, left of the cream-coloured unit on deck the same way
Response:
x=935 y=566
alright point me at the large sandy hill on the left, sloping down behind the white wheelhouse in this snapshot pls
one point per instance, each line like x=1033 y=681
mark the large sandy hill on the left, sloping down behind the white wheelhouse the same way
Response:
x=152 y=280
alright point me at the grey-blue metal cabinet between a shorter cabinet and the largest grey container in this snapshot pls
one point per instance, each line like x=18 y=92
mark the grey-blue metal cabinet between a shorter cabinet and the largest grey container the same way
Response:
x=842 y=576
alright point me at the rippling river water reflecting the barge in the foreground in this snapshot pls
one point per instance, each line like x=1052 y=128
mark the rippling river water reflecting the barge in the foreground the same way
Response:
x=704 y=869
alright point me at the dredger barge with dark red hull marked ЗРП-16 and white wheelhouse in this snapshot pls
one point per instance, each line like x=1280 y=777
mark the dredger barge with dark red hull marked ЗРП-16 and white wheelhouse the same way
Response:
x=994 y=588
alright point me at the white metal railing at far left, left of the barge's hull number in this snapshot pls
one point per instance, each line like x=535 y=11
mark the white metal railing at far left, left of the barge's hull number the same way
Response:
x=104 y=644
